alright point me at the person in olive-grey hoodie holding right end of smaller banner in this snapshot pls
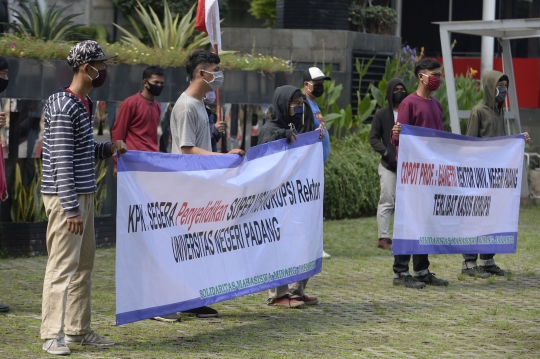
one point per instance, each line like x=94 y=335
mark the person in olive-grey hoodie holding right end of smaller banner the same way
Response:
x=487 y=120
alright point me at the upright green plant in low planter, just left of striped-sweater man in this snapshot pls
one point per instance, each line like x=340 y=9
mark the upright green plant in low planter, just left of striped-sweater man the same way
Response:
x=27 y=200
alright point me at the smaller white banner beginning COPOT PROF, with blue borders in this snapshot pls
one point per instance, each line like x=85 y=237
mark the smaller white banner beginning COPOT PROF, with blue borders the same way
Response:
x=457 y=194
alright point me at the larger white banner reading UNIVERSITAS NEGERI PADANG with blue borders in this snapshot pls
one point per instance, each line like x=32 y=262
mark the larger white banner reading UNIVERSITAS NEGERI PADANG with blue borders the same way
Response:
x=194 y=230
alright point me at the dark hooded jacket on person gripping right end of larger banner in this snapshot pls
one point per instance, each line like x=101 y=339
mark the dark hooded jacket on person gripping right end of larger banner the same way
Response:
x=277 y=127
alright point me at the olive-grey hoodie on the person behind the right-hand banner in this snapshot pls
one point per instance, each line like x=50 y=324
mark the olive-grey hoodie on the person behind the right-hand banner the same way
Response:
x=487 y=119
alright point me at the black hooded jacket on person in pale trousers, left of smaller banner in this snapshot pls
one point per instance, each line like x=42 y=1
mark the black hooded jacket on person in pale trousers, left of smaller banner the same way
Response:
x=381 y=129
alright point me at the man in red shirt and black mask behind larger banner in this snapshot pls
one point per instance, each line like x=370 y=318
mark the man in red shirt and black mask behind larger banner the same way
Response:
x=138 y=118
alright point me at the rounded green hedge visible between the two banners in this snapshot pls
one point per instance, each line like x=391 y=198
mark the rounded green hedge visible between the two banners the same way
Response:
x=351 y=181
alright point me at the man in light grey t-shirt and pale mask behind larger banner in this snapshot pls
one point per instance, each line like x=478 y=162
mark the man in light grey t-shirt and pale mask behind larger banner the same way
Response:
x=190 y=128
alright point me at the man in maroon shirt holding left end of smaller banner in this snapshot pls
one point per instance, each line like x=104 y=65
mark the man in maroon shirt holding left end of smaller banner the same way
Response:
x=423 y=110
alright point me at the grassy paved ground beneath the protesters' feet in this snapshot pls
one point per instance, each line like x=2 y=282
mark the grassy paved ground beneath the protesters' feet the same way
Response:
x=360 y=313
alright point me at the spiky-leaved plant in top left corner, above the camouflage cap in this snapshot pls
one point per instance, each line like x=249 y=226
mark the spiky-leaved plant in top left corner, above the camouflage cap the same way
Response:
x=46 y=25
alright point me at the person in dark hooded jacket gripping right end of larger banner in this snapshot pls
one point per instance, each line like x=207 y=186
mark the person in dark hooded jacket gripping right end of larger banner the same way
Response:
x=292 y=115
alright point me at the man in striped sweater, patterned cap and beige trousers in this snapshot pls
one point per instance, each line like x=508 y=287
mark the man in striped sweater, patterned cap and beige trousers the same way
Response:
x=68 y=187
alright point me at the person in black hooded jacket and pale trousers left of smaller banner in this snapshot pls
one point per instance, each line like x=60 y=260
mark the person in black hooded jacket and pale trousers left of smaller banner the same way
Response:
x=381 y=131
